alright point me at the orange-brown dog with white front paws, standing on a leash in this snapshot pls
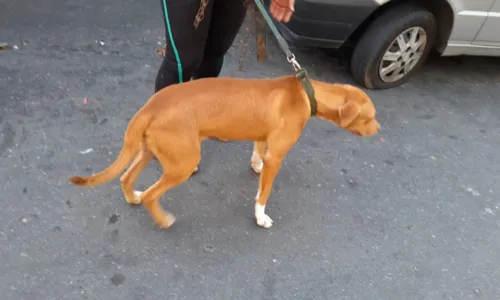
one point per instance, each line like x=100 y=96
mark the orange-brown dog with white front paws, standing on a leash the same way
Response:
x=270 y=112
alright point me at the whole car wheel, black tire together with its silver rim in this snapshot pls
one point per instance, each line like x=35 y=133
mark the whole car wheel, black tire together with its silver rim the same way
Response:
x=378 y=47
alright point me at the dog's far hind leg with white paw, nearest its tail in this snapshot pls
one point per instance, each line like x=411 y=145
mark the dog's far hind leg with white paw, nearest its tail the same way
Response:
x=130 y=176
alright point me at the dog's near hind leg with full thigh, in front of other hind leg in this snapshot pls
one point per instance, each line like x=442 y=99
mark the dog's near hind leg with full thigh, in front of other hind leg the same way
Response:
x=178 y=162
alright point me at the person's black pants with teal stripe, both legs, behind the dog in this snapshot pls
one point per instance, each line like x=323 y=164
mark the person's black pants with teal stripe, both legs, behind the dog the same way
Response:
x=197 y=52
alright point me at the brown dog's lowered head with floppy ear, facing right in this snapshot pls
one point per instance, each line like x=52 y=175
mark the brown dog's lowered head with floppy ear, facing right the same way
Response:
x=350 y=108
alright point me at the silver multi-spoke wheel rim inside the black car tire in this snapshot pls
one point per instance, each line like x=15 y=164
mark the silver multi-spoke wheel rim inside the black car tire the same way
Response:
x=403 y=54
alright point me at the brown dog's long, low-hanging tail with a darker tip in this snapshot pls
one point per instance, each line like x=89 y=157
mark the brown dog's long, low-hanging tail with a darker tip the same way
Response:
x=134 y=135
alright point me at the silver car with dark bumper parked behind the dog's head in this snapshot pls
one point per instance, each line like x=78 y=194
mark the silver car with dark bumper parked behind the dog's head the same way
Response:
x=390 y=39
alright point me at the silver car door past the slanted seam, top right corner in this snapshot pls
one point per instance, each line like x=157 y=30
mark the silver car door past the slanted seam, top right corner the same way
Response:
x=489 y=34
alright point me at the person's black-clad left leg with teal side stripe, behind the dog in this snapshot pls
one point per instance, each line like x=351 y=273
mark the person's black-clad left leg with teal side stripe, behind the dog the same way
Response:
x=184 y=42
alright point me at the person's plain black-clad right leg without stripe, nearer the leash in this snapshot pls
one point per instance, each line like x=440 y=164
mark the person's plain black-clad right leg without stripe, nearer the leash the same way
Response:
x=226 y=20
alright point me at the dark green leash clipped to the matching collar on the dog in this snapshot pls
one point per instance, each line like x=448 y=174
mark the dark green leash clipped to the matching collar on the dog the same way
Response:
x=301 y=74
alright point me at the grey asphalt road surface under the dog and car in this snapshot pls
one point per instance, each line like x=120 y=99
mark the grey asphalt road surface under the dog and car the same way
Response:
x=413 y=213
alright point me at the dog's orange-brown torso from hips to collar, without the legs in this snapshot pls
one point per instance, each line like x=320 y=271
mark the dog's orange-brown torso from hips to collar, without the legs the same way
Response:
x=228 y=108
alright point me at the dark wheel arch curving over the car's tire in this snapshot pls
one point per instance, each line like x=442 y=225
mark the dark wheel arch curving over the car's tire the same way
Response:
x=442 y=9
